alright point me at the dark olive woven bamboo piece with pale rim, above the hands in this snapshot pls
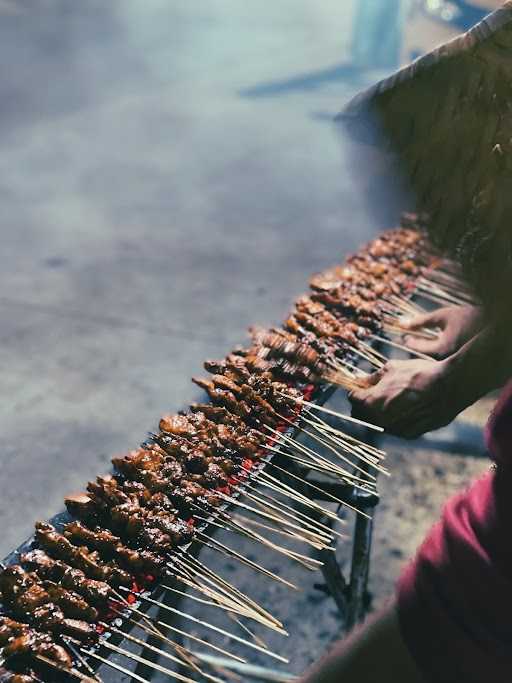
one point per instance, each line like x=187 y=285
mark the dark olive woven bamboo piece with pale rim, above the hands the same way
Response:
x=447 y=121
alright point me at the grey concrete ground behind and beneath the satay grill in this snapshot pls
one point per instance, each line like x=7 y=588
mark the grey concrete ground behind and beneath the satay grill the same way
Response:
x=169 y=175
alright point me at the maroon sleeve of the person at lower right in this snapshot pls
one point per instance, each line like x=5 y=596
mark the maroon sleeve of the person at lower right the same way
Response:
x=455 y=597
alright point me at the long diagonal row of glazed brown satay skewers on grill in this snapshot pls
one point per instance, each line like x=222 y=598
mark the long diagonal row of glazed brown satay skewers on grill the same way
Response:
x=133 y=530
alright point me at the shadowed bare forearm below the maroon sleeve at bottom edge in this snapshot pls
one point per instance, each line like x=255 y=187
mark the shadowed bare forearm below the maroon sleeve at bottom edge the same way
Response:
x=375 y=651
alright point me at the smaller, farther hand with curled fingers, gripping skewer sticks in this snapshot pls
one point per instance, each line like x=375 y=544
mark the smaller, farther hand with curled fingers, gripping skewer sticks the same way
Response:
x=456 y=325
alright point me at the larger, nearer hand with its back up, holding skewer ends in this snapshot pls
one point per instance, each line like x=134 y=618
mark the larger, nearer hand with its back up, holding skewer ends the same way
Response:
x=409 y=397
